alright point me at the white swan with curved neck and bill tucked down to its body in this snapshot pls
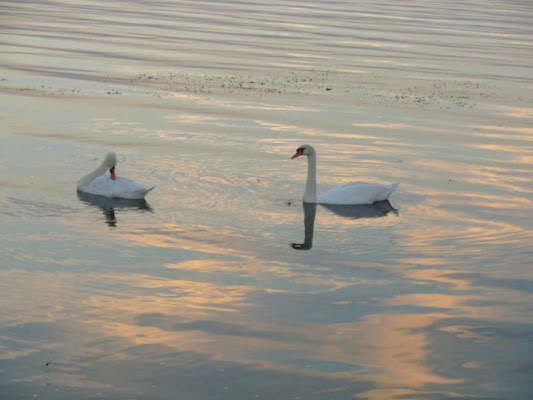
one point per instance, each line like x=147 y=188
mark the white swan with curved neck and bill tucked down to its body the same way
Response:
x=101 y=184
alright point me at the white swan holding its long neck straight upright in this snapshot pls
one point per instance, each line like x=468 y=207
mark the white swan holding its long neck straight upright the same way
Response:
x=349 y=193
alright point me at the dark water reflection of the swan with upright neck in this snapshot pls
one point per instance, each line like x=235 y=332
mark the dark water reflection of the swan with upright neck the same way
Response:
x=375 y=210
